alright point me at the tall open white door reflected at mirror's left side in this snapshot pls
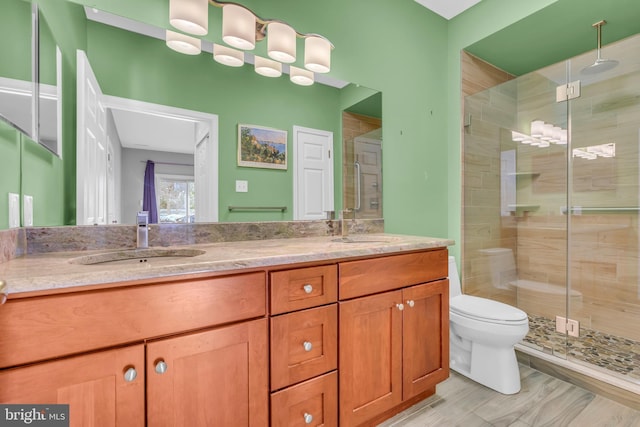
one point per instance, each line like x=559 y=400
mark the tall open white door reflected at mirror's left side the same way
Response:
x=91 y=160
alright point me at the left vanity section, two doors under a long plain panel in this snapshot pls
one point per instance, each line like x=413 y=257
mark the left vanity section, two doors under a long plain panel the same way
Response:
x=195 y=350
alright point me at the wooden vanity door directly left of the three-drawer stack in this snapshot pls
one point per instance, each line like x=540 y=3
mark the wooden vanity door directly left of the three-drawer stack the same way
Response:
x=213 y=378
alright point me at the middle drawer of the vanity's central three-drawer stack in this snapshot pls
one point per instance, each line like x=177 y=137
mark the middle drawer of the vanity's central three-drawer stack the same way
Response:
x=303 y=344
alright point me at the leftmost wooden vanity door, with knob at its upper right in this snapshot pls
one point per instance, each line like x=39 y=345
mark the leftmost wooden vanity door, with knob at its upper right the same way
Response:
x=93 y=385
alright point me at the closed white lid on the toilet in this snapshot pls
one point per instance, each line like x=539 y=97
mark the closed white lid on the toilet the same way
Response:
x=486 y=310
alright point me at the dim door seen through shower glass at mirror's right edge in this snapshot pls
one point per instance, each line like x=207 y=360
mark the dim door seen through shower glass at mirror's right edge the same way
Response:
x=368 y=154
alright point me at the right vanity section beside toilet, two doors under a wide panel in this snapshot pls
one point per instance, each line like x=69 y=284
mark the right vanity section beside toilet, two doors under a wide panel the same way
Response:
x=394 y=333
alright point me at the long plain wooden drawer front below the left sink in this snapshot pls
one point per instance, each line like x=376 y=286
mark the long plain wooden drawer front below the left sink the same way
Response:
x=78 y=322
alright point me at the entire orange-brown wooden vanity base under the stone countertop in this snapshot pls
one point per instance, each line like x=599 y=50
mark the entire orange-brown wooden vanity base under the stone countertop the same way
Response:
x=348 y=342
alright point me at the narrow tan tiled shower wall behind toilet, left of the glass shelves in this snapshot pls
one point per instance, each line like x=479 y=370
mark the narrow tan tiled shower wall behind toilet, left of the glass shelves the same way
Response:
x=483 y=225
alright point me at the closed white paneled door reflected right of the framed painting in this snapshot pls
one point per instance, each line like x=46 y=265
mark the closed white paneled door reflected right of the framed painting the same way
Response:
x=313 y=173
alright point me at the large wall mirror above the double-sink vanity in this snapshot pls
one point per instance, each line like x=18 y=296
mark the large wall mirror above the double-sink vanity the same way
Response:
x=159 y=105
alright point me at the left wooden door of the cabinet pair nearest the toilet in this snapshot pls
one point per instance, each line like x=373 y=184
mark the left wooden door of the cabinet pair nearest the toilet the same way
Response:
x=370 y=357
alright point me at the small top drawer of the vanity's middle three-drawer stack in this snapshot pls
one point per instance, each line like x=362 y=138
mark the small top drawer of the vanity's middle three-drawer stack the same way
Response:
x=301 y=288
